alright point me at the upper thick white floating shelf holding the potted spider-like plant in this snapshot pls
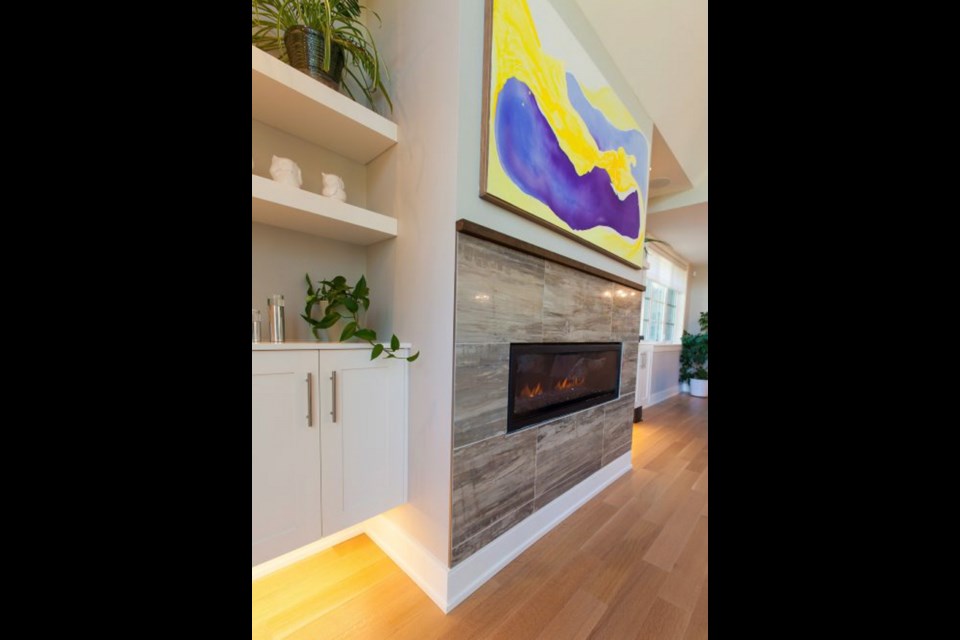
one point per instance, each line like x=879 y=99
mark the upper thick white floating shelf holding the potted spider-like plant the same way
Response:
x=292 y=101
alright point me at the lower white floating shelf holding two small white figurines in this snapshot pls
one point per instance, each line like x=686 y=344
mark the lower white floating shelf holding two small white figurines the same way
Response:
x=284 y=206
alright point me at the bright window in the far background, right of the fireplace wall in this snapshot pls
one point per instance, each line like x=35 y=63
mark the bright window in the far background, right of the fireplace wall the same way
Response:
x=663 y=301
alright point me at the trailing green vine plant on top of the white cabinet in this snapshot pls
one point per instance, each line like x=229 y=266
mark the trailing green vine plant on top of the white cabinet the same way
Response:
x=344 y=301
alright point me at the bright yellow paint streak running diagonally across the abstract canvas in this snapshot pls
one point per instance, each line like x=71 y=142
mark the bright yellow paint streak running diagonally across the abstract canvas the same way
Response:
x=516 y=50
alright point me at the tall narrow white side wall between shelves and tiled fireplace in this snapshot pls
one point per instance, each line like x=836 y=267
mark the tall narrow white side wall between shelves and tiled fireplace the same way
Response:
x=416 y=182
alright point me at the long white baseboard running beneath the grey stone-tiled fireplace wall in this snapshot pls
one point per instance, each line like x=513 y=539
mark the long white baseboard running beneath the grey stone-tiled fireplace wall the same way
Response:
x=469 y=575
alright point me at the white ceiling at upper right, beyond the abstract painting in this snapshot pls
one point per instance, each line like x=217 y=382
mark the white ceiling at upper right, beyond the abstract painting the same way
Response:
x=660 y=46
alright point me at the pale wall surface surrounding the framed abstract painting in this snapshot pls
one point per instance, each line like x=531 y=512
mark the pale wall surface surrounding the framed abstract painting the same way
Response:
x=469 y=204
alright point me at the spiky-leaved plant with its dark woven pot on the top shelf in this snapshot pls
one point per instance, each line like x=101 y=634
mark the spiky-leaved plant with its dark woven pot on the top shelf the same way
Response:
x=326 y=39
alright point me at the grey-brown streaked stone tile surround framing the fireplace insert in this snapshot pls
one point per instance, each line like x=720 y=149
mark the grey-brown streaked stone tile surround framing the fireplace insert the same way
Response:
x=505 y=296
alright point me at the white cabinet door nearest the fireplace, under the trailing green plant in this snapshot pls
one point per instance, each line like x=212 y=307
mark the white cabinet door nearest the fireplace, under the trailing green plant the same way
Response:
x=363 y=433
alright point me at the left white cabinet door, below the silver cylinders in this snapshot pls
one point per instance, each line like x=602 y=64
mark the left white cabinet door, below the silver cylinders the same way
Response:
x=286 y=452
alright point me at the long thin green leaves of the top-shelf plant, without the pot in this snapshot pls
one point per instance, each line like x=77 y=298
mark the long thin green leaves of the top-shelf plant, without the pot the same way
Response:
x=339 y=21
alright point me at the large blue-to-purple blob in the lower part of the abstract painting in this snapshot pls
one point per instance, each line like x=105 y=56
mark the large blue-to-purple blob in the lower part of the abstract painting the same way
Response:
x=531 y=156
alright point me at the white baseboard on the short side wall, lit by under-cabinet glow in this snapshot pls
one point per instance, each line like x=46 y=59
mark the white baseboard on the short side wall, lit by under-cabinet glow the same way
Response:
x=423 y=567
